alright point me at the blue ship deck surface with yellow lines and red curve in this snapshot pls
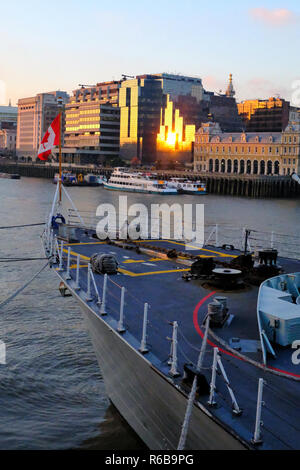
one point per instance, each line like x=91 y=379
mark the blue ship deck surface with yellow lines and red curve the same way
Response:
x=159 y=282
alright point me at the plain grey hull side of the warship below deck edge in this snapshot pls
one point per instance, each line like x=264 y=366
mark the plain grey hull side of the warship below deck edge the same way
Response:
x=148 y=401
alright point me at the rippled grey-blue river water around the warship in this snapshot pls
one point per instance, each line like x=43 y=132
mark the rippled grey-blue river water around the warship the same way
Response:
x=52 y=395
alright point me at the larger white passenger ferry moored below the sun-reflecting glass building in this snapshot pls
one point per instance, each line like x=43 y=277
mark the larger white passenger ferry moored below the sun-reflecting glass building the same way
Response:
x=124 y=180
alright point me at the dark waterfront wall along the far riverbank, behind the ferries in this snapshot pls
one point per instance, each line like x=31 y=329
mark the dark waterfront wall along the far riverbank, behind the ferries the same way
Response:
x=233 y=185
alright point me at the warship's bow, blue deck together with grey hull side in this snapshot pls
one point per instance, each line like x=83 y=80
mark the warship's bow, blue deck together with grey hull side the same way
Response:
x=139 y=384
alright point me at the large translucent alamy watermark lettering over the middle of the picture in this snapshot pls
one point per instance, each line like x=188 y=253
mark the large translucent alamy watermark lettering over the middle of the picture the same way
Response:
x=182 y=222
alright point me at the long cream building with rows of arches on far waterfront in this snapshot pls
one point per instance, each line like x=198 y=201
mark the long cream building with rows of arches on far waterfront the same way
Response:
x=252 y=153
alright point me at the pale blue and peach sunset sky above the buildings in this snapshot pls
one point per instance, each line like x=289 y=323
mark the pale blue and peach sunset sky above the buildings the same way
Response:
x=57 y=45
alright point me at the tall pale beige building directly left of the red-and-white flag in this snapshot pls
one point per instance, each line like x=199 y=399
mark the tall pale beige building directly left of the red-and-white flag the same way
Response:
x=35 y=114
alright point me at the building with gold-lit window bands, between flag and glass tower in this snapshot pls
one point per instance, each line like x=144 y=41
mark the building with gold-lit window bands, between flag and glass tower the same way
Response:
x=92 y=124
